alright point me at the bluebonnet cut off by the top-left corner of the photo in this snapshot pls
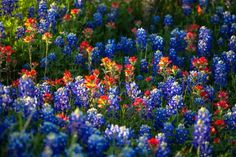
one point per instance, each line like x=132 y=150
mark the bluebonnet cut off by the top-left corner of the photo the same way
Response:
x=8 y=6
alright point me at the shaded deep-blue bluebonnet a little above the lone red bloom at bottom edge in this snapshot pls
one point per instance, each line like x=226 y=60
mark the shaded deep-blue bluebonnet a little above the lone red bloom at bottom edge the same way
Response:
x=161 y=117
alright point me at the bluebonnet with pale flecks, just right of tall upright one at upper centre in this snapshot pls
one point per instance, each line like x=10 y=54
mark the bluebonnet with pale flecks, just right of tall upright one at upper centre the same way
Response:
x=157 y=42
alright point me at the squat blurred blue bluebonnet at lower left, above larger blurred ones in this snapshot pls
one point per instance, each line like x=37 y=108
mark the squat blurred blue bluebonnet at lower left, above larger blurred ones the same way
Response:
x=48 y=127
